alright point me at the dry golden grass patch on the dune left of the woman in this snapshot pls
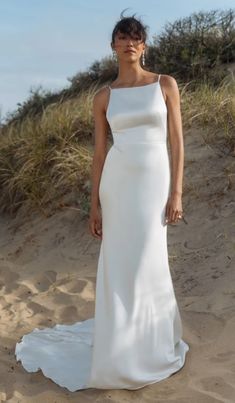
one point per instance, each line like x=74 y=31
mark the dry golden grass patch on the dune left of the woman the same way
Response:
x=44 y=158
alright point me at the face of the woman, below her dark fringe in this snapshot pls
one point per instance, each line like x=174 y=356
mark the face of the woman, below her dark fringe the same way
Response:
x=128 y=47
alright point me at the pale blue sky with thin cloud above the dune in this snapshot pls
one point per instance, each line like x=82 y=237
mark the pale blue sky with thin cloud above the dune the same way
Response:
x=44 y=42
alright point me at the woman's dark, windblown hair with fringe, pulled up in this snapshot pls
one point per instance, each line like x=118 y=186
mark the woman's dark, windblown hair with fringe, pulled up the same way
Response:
x=131 y=26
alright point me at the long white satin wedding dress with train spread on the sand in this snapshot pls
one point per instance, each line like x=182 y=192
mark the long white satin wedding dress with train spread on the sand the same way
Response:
x=135 y=338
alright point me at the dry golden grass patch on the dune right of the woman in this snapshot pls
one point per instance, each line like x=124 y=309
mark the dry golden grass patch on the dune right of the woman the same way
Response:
x=213 y=110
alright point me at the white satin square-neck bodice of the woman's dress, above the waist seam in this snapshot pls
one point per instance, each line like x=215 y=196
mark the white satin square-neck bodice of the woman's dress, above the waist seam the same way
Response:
x=138 y=113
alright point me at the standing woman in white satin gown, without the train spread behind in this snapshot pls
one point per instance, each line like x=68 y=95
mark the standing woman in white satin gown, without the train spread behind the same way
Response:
x=138 y=325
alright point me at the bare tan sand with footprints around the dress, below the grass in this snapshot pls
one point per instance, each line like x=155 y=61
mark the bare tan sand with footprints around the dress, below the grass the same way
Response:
x=48 y=272
